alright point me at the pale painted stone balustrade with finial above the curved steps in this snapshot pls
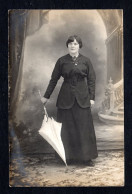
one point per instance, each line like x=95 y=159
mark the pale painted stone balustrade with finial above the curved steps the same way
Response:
x=113 y=96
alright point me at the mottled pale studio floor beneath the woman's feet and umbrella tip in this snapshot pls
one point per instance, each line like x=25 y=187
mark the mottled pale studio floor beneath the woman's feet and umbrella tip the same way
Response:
x=39 y=171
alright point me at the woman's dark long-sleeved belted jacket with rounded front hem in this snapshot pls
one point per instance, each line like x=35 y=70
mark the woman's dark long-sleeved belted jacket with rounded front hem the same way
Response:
x=79 y=81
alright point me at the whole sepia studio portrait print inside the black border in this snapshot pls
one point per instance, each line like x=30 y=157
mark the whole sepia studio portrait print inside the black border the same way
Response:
x=66 y=98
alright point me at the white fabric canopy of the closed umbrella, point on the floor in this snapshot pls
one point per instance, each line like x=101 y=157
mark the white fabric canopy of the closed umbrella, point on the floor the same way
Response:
x=51 y=132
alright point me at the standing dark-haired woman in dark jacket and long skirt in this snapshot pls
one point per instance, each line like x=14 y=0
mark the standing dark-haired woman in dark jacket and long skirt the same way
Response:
x=75 y=98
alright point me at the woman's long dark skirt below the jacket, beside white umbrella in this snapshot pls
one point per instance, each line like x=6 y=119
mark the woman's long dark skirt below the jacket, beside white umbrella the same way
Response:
x=77 y=133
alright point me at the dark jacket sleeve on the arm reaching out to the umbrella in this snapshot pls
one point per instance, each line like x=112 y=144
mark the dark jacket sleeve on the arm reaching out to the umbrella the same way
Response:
x=54 y=78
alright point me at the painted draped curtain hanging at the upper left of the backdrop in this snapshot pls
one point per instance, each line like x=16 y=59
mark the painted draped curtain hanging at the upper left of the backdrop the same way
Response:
x=22 y=23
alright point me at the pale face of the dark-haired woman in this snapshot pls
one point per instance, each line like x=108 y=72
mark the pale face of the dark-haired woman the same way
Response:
x=73 y=47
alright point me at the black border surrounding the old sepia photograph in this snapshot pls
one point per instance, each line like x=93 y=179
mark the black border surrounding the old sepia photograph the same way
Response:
x=127 y=92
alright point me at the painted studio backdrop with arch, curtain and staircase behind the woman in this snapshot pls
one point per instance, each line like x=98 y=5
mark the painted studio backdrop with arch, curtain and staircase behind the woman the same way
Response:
x=37 y=38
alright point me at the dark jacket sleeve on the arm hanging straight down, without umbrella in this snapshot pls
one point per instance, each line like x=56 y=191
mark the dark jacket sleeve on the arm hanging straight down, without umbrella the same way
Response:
x=91 y=77
